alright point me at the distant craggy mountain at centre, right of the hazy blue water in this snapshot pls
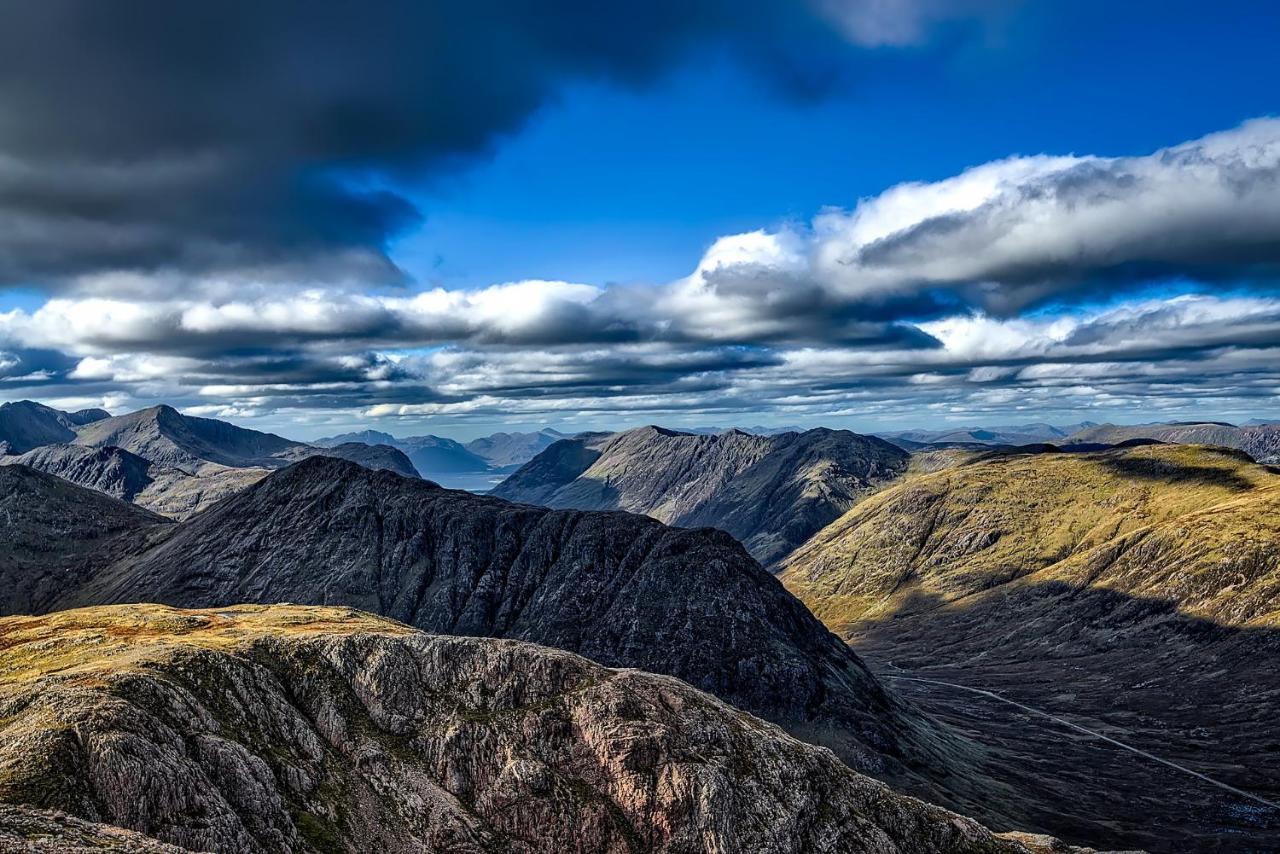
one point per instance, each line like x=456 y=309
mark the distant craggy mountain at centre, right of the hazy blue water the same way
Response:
x=771 y=492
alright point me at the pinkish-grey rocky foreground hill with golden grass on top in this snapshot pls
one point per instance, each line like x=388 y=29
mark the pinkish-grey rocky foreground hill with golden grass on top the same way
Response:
x=290 y=729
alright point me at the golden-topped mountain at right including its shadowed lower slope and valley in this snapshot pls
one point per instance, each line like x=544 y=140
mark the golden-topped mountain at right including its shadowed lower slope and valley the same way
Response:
x=1133 y=591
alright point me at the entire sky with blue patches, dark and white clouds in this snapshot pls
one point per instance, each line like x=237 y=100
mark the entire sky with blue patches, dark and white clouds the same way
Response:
x=460 y=218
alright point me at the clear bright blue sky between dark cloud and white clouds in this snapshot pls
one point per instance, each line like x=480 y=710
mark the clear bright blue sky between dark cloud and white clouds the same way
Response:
x=614 y=185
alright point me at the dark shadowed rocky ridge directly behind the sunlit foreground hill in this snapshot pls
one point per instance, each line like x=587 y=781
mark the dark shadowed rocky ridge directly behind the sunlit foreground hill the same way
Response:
x=621 y=590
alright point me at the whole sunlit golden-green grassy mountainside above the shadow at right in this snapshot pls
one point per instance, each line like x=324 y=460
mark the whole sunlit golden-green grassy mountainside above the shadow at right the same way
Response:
x=1190 y=524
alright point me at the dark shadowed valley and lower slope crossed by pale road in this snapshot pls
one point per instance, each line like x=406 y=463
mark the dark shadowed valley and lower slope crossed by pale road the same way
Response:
x=1200 y=693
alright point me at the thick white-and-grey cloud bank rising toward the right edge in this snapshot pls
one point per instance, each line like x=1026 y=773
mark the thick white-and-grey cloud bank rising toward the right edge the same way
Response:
x=1022 y=232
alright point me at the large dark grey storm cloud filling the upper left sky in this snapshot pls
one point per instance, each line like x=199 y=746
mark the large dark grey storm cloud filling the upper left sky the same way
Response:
x=259 y=138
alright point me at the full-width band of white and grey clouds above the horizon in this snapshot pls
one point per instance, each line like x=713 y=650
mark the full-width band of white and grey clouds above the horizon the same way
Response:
x=927 y=298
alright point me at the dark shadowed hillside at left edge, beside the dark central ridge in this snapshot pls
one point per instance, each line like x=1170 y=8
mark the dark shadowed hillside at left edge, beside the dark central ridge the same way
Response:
x=53 y=533
